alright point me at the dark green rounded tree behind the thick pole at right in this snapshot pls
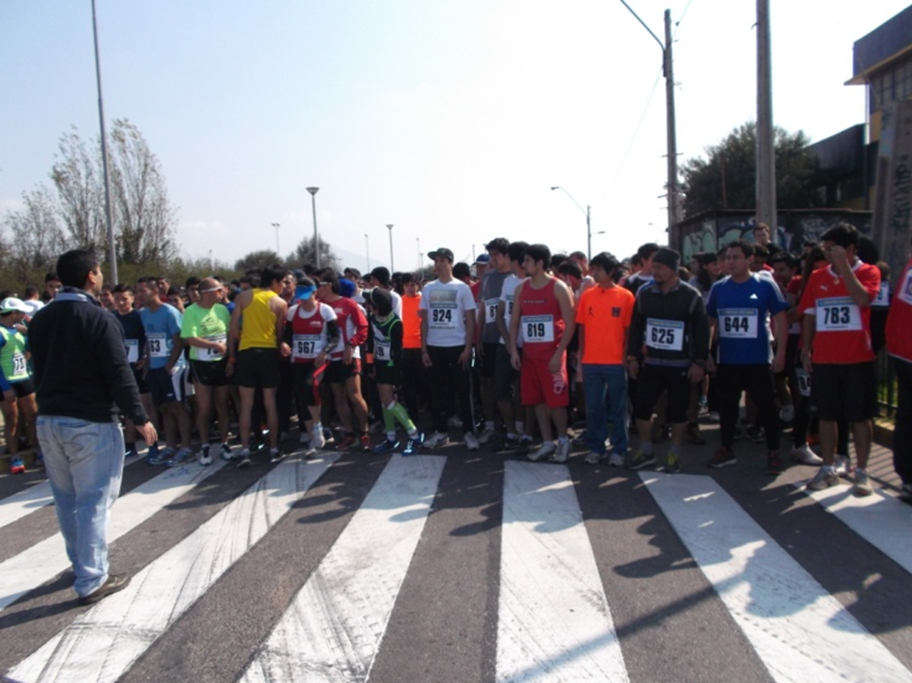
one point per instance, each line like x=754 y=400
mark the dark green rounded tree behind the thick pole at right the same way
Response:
x=726 y=178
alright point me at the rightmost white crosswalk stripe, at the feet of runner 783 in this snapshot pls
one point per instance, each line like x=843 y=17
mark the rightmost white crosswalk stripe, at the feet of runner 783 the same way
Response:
x=881 y=519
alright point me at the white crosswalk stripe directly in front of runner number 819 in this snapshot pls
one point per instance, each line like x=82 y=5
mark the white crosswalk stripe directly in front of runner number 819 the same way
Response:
x=554 y=623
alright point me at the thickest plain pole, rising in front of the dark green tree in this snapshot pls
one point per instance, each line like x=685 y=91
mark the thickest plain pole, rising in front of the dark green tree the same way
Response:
x=766 y=150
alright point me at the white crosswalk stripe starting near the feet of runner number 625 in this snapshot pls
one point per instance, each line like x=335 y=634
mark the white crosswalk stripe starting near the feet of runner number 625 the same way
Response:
x=800 y=632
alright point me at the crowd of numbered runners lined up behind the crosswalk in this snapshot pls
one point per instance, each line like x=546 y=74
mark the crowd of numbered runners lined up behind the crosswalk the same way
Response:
x=523 y=351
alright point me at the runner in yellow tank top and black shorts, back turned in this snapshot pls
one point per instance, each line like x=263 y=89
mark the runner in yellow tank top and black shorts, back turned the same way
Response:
x=257 y=327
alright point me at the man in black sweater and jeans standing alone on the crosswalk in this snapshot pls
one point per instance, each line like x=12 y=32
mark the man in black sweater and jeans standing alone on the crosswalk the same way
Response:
x=82 y=380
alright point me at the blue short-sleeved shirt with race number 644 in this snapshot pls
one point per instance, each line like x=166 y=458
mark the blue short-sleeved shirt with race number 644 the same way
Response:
x=742 y=312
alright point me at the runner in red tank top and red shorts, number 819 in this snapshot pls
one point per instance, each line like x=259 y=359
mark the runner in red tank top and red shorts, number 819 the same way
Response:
x=543 y=314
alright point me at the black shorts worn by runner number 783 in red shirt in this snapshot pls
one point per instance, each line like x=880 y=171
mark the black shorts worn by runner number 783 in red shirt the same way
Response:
x=845 y=391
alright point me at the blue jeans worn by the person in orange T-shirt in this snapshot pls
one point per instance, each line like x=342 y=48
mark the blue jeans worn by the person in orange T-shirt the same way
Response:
x=605 y=388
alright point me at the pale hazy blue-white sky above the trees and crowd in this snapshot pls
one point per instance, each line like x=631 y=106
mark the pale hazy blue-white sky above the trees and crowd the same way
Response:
x=450 y=120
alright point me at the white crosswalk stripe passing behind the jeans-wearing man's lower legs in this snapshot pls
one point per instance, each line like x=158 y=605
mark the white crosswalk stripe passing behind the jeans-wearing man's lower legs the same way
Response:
x=43 y=561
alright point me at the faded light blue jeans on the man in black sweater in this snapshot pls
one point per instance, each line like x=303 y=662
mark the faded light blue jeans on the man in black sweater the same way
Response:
x=84 y=463
